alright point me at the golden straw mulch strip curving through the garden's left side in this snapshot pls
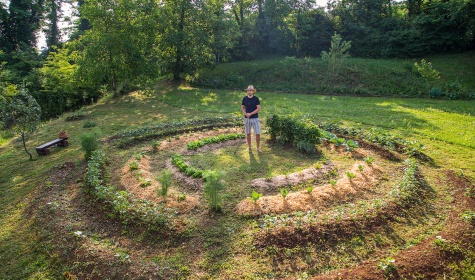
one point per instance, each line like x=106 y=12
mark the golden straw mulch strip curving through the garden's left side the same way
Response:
x=132 y=184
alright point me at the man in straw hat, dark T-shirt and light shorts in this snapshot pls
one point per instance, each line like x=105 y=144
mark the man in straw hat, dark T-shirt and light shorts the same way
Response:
x=250 y=107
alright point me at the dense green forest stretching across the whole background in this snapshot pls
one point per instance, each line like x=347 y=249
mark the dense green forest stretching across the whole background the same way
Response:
x=121 y=45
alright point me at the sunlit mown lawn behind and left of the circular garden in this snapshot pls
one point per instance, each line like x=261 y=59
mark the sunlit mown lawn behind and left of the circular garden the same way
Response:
x=446 y=128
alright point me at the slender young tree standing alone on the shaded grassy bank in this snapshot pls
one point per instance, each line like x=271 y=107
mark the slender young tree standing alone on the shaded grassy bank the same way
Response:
x=336 y=56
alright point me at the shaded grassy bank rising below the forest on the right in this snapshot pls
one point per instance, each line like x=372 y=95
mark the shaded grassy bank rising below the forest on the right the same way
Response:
x=358 y=76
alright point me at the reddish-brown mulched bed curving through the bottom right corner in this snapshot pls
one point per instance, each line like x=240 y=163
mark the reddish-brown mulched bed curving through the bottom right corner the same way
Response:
x=426 y=260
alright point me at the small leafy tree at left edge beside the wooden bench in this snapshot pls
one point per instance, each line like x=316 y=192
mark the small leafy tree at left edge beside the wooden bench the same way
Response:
x=18 y=106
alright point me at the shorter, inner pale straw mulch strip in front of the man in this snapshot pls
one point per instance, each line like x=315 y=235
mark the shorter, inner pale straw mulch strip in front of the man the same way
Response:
x=294 y=179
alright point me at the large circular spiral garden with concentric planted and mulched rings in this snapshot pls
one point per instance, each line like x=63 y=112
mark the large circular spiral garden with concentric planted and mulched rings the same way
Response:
x=339 y=196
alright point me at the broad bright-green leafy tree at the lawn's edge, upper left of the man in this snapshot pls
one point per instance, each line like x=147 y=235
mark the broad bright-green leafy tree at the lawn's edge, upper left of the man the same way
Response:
x=119 y=48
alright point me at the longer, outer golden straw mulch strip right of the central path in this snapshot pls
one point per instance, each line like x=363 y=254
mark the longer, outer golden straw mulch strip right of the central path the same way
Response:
x=320 y=198
